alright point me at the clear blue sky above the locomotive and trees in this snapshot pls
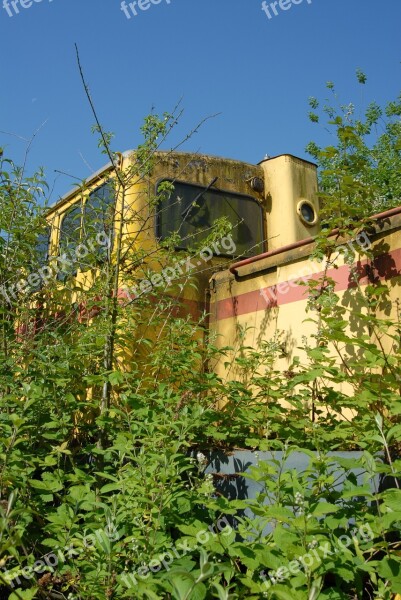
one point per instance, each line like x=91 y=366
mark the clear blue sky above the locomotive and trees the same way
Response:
x=219 y=56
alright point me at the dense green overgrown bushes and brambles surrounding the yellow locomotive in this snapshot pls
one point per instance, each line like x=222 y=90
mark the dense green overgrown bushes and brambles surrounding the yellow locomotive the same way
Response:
x=102 y=476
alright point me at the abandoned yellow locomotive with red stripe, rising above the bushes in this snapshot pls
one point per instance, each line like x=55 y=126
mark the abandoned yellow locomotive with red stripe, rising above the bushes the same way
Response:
x=252 y=277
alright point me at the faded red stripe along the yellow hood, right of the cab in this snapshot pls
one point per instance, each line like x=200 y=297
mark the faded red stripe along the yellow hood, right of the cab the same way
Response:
x=383 y=267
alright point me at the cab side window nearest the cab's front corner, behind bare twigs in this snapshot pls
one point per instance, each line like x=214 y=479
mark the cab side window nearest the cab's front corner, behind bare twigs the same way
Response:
x=98 y=220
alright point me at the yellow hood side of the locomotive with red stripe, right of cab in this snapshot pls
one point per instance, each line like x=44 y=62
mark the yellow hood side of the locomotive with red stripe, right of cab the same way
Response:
x=268 y=299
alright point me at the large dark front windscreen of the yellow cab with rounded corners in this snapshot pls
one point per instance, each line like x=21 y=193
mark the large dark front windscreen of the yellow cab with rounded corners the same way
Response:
x=191 y=210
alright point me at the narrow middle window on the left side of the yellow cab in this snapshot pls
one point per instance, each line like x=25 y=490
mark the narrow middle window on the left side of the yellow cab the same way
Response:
x=70 y=237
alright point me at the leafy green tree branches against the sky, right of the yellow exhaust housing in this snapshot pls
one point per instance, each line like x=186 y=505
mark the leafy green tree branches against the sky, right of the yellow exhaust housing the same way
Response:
x=359 y=171
